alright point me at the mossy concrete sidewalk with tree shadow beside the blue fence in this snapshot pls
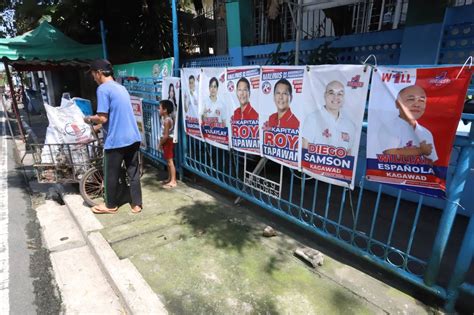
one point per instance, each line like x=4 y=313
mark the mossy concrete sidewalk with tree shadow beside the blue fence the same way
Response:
x=202 y=255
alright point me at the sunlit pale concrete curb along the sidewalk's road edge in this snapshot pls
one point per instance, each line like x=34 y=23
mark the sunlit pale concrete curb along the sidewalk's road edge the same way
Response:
x=133 y=291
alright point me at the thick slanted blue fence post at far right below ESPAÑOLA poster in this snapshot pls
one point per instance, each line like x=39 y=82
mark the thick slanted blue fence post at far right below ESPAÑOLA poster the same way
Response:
x=449 y=213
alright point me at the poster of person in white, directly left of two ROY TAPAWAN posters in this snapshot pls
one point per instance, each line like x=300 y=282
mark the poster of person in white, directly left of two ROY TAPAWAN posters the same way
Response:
x=214 y=107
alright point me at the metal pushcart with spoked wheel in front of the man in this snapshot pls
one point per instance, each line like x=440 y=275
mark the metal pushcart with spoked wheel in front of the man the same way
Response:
x=72 y=163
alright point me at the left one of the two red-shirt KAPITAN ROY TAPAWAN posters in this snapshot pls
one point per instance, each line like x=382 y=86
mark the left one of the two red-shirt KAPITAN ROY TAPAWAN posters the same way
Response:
x=243 y=85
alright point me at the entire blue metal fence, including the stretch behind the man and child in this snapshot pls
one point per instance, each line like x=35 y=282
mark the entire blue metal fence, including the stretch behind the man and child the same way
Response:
x=410 y=239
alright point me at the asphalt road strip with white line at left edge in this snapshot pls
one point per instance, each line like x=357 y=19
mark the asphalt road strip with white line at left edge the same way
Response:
x=26 y=280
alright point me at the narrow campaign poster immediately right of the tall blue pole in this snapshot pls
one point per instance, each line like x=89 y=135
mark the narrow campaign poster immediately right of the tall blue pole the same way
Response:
x=190 y=78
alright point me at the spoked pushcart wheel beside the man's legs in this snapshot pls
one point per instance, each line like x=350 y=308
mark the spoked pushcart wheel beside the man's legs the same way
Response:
x=91 y=187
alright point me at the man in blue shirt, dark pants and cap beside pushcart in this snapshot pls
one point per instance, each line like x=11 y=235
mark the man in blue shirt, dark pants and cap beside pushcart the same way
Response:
x=122 y=138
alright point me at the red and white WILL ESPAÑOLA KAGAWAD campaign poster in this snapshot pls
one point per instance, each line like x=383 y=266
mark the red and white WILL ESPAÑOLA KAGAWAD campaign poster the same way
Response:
x=413 y=116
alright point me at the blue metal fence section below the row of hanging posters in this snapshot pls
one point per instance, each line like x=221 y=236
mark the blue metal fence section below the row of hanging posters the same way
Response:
x=391 y=232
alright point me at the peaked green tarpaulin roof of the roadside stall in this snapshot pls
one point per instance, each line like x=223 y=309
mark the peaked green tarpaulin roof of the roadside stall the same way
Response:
x=46 y=43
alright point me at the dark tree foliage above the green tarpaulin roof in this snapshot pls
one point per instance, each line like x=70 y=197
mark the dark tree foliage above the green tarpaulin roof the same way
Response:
x=136 y=30
